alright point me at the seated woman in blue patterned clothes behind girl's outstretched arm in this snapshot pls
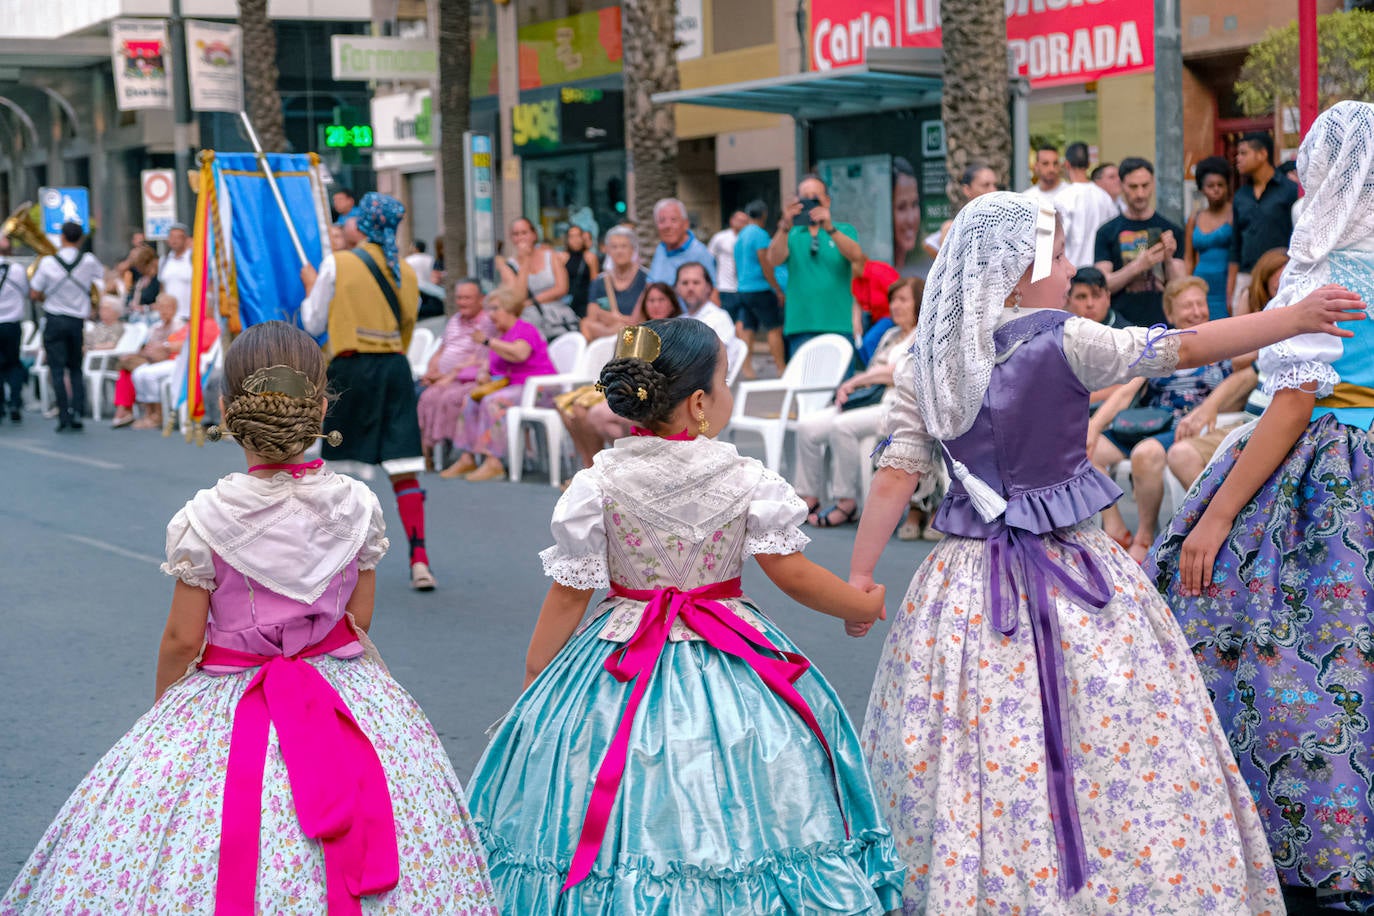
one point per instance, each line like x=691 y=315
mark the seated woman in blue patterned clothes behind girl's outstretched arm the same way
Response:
x=1185 y=307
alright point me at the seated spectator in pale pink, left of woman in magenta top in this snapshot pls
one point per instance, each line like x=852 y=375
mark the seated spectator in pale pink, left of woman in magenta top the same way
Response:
x=453 y=373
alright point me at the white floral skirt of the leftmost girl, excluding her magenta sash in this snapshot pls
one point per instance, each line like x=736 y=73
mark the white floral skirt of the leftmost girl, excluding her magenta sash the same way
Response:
x=142 y=832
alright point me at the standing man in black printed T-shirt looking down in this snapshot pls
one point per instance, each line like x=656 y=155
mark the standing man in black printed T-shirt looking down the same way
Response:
x=1138 y=251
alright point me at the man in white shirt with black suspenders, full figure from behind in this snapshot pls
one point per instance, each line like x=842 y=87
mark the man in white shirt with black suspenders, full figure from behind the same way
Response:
x=64 y=284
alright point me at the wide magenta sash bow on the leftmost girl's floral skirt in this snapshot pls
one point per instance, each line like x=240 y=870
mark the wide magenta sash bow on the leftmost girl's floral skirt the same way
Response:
x=337 y=781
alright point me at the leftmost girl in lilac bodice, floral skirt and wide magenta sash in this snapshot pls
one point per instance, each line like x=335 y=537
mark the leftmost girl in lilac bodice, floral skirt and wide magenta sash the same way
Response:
x=281 y=768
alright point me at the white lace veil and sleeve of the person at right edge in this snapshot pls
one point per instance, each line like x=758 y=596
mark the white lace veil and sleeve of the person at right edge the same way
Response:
x=1336 y=168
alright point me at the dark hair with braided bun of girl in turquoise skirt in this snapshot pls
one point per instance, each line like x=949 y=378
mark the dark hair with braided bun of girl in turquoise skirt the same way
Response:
x=648 y=393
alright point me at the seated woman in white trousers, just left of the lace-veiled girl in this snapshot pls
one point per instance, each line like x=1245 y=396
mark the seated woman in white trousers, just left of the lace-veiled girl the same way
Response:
x=840 y=429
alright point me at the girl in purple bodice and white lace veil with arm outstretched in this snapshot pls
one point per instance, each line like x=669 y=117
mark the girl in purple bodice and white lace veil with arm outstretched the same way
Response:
x=1038 y=731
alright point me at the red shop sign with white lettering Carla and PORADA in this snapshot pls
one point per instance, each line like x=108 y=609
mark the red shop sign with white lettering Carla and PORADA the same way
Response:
x=1052 y=42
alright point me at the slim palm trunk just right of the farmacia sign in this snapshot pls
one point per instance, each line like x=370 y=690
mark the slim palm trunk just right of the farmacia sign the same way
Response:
x=455 y=67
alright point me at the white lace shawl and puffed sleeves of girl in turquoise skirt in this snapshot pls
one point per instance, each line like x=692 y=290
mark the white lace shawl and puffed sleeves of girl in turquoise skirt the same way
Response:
x=688 y=490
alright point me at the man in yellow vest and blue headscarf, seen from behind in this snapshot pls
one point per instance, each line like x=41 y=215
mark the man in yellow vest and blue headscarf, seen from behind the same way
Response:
x=368 y=300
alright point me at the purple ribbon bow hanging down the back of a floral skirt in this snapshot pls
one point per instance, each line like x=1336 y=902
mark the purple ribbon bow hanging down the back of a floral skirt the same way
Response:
x=1020 y=558
